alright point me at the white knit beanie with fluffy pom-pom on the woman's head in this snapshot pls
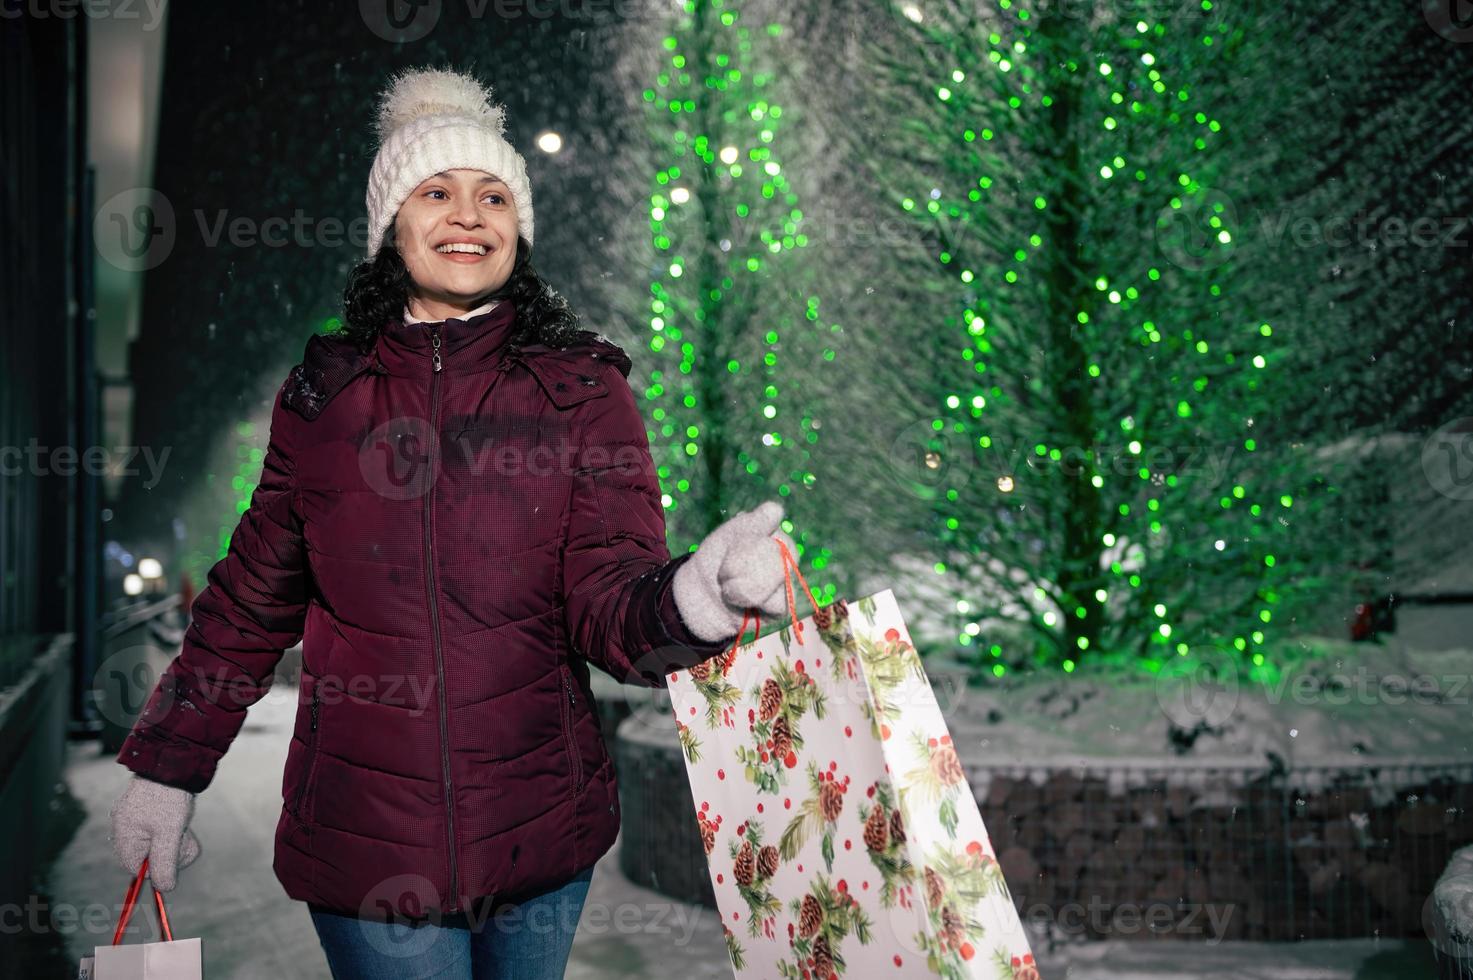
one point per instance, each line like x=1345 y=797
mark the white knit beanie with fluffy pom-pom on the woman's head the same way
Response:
x=434 y=120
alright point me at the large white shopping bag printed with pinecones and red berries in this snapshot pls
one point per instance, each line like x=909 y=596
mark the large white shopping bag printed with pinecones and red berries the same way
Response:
x=842 y=835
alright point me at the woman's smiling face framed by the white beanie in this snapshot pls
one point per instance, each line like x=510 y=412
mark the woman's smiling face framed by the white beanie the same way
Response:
x=457 y=234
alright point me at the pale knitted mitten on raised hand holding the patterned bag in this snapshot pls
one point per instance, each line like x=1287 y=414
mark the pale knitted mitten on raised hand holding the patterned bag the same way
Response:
x=736 y=568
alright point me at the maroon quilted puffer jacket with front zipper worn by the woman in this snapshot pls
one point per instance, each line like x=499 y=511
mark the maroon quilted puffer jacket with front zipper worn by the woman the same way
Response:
x=456 y=537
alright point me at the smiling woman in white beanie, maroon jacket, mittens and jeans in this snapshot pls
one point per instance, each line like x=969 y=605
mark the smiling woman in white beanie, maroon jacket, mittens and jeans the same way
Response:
x=459 y=514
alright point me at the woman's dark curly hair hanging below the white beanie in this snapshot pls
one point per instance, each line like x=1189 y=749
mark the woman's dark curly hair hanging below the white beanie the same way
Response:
x=379 y=288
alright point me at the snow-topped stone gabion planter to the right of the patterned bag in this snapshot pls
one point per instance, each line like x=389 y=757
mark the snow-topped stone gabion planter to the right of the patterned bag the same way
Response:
x=1319 y=805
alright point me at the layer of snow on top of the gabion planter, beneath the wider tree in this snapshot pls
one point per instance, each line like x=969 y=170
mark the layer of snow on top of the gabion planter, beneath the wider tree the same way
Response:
x=1341 y=705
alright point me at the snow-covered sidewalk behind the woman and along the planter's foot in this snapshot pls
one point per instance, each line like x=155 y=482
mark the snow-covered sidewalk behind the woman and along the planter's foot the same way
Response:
x=253 y=932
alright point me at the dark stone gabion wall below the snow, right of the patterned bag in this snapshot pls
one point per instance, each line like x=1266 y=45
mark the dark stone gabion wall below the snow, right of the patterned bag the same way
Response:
x=1226 y=854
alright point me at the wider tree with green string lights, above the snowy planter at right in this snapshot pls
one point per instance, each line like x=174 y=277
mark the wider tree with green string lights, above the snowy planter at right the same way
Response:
x=1092 y=405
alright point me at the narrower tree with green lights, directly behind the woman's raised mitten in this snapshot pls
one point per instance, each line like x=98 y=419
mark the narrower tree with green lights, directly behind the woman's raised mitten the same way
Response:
x=734 y=375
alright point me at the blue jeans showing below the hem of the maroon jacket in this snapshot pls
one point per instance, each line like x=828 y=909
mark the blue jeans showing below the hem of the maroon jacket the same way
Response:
x=524 y=941
